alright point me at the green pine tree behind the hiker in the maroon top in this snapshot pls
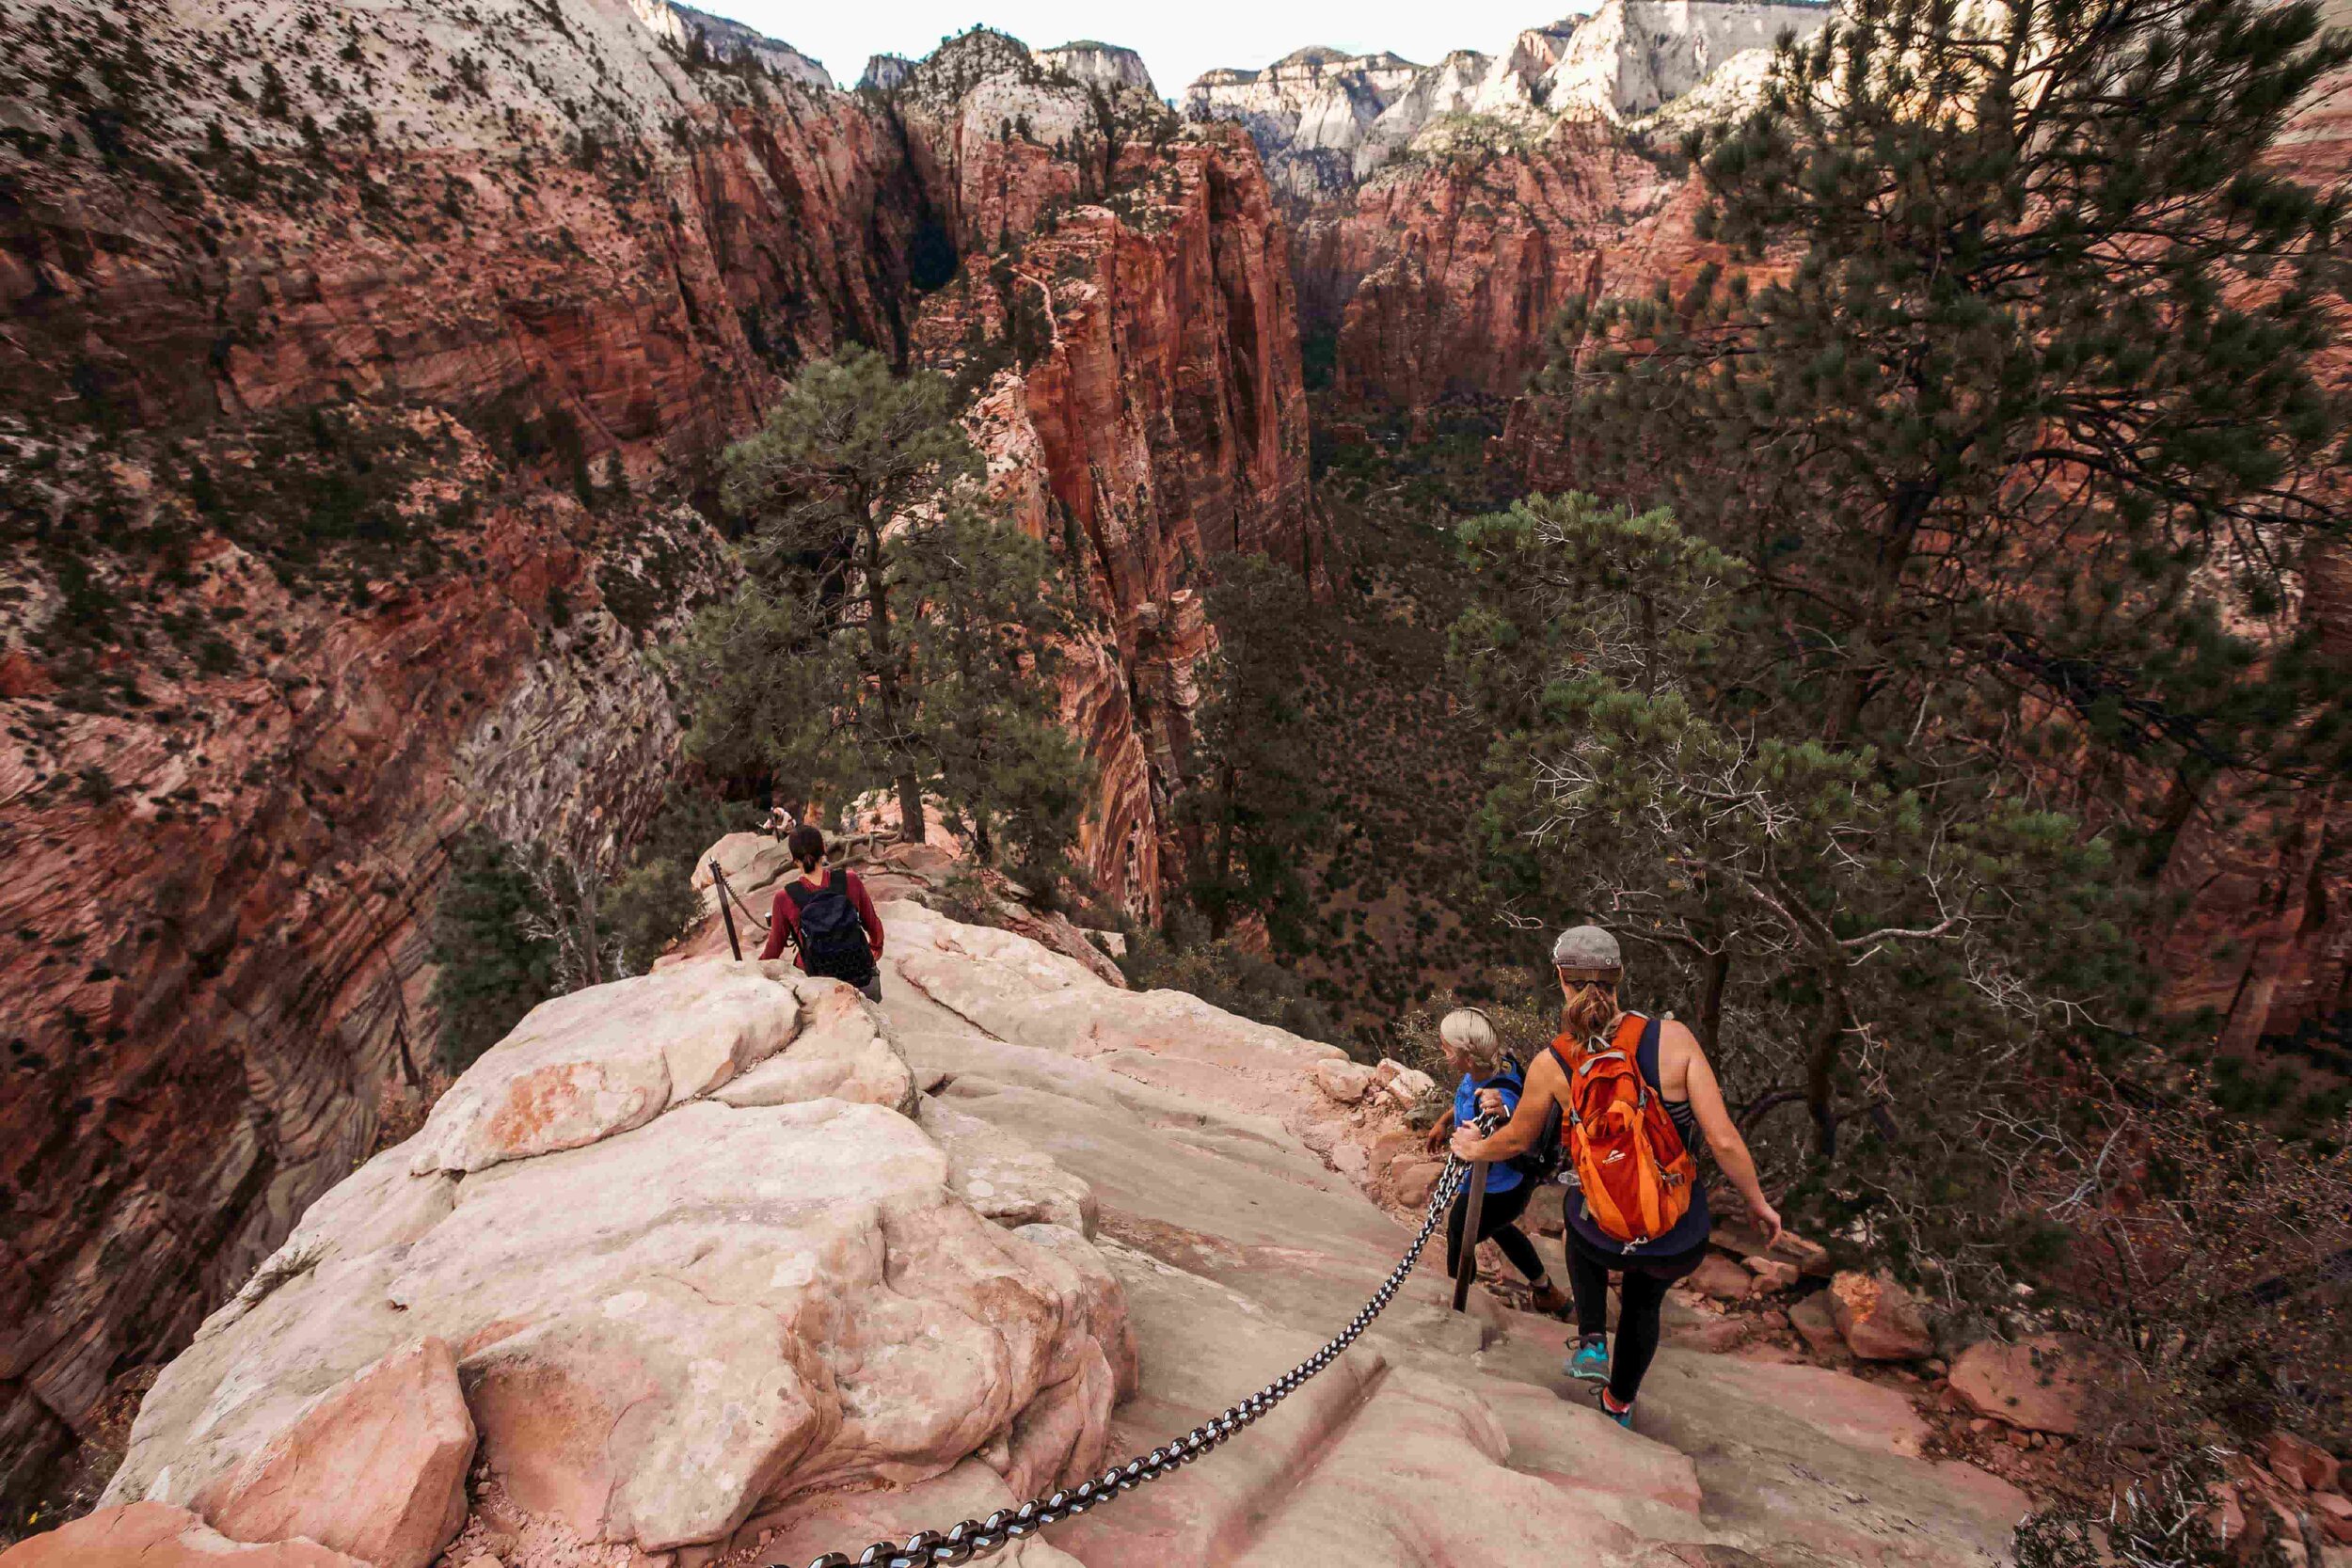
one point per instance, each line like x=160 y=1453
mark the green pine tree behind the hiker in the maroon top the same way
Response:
x=893 y=631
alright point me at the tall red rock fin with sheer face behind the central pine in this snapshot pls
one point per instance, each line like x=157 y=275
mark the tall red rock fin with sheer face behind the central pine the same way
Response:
x=1154 y=413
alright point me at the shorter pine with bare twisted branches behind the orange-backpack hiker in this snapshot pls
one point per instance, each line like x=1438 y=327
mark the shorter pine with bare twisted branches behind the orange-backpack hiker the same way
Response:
x=1873 y=939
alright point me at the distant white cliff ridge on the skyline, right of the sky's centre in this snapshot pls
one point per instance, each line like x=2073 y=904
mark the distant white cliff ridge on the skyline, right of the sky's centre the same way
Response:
x=1328 y=121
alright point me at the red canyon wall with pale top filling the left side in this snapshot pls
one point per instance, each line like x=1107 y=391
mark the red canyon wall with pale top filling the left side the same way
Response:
x=236 y=916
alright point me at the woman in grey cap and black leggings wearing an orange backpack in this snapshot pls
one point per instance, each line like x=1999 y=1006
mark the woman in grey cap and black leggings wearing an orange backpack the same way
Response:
x=1633 y=1094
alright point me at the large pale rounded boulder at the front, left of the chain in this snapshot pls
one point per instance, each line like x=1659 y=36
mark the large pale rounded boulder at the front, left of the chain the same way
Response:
x=676 y=1325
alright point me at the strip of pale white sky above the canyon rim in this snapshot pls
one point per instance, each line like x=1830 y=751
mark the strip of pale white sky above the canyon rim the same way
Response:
x=1177 y=41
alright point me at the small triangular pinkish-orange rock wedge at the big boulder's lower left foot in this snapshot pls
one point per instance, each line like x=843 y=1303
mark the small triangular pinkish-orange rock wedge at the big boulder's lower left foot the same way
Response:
x=375 y=1468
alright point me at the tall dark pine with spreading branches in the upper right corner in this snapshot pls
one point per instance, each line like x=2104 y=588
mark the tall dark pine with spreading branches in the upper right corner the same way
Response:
x=2012 y=406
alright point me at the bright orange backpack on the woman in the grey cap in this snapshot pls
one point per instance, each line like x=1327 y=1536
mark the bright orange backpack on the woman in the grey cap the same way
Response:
x=1636 y=1174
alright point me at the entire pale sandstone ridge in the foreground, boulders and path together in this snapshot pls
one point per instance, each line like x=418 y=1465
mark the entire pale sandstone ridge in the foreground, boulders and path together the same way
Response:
x=726 y=1266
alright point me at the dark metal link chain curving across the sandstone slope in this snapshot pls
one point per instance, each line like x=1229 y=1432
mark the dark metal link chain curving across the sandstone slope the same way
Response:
x=977 y=1539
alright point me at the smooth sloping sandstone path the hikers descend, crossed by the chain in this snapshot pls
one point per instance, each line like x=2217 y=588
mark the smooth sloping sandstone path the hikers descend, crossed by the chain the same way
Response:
x=1441 y=1438
